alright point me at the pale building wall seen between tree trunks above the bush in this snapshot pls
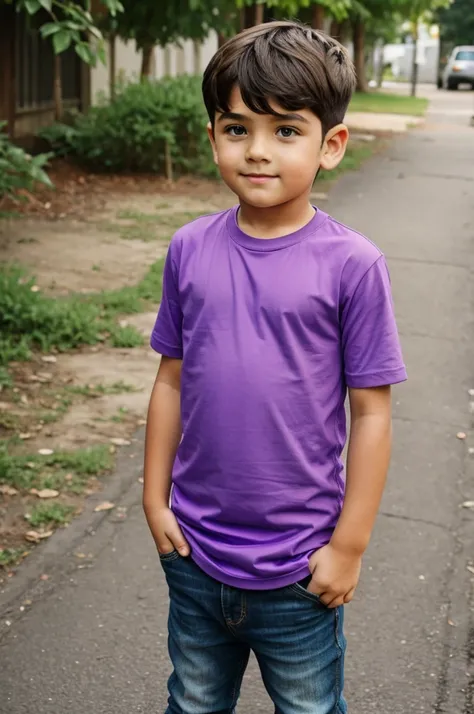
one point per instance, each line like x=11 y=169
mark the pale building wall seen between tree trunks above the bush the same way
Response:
x=189 y=58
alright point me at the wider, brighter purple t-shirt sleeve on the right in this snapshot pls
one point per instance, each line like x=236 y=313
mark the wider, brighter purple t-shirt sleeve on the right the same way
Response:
x=370 y=342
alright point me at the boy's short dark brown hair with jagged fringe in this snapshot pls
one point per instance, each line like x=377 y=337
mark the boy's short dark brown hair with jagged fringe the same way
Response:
x=287 y=62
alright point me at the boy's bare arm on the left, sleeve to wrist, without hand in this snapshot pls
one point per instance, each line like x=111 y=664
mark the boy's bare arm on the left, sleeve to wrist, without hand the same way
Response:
x=163 y=434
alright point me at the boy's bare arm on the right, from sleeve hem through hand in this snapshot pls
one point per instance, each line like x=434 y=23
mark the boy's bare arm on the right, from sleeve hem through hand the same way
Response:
x=336 y=567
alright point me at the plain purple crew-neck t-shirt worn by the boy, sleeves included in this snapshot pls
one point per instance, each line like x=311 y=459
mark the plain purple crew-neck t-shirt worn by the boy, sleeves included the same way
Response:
x=271 y=334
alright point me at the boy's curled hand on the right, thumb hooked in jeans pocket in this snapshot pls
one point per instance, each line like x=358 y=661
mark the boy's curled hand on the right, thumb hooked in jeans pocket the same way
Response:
x=335 y=575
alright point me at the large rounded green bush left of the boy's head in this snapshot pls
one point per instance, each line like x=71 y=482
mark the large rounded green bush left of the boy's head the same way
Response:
x=144 y=123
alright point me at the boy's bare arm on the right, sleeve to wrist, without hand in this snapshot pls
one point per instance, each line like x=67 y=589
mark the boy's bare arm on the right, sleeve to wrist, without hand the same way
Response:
x=367 y=466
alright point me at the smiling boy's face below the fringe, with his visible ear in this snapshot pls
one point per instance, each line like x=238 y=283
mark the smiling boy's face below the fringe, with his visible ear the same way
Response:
x=270 y=160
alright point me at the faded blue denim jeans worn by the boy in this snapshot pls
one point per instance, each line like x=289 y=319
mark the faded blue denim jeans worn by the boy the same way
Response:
x=298 y=642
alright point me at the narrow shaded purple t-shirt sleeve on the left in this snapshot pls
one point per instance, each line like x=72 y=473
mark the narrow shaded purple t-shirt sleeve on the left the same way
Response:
x=166 y=337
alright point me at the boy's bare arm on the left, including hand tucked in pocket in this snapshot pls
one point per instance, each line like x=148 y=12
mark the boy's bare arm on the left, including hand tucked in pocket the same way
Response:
x=163 y=434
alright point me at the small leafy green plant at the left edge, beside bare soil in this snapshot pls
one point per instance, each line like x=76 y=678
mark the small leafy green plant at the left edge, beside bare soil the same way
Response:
x=19 y=170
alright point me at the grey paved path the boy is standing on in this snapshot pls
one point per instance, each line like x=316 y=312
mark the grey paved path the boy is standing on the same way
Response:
x=94 y=638
